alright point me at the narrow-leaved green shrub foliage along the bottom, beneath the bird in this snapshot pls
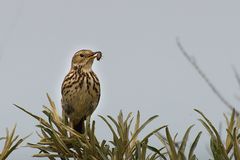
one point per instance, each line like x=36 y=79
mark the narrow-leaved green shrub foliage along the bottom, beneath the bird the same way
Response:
x=58 y=140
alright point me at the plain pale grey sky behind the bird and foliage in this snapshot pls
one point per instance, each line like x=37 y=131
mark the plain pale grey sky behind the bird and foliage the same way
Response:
x=142 y=68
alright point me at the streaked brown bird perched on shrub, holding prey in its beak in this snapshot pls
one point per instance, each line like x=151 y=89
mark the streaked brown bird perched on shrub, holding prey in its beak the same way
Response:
x=81 y=89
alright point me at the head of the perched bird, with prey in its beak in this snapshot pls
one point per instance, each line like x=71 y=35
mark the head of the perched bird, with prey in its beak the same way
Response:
x=85 y=58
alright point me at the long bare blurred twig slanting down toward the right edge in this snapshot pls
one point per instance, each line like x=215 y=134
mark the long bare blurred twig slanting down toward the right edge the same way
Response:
x=201 y=73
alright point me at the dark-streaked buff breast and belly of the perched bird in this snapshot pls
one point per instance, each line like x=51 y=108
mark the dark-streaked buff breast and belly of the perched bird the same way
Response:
x=81 y=93
